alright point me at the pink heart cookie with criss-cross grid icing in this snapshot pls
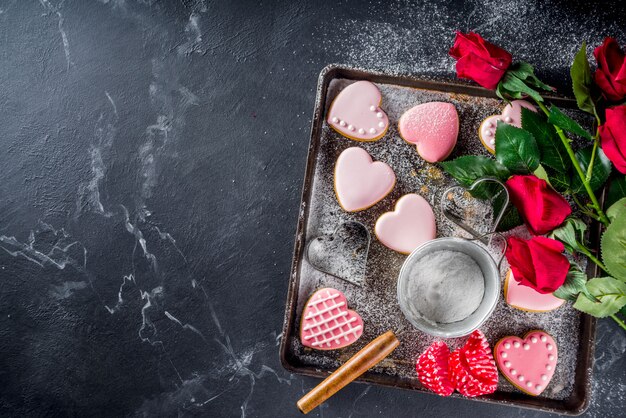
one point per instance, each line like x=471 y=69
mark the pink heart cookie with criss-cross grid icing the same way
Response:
x=327 y=323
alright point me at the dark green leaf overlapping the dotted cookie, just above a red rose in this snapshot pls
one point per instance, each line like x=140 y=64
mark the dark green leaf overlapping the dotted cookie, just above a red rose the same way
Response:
x=516 y=149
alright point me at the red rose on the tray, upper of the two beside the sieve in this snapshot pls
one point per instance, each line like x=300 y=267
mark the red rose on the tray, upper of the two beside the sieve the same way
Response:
x=542 y=208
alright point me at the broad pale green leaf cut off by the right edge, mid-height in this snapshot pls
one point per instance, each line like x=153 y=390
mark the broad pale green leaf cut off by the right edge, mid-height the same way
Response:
x=613 y=246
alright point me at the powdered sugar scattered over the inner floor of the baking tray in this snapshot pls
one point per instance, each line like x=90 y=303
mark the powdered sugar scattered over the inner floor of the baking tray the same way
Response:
x=376 y=300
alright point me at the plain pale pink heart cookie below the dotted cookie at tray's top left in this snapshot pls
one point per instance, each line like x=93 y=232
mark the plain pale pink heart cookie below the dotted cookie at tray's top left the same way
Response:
x=359 y=181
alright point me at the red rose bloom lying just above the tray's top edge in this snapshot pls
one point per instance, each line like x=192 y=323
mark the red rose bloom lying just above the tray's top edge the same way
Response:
x=479 y=60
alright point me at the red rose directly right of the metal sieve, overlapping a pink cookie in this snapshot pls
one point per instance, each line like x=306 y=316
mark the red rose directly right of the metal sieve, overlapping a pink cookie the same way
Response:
x=537 y=263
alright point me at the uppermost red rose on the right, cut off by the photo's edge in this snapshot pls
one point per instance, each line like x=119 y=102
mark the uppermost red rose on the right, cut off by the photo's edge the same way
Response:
x=611 y=73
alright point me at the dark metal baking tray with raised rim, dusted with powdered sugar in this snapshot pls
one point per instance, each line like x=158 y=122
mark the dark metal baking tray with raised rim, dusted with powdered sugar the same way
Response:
x=568 y=392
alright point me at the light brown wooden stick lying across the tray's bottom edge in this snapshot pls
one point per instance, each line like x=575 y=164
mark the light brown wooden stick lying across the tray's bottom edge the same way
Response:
x=366 y=358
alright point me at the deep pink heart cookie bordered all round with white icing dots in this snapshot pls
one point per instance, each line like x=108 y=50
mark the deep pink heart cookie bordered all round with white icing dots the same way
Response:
x=527 y=363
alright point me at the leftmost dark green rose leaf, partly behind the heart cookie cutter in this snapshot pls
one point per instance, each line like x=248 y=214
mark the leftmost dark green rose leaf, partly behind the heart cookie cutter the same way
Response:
x=469 y=168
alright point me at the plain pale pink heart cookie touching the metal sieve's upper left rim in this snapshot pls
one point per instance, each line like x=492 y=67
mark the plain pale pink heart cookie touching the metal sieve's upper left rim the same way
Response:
x=411 y=224
